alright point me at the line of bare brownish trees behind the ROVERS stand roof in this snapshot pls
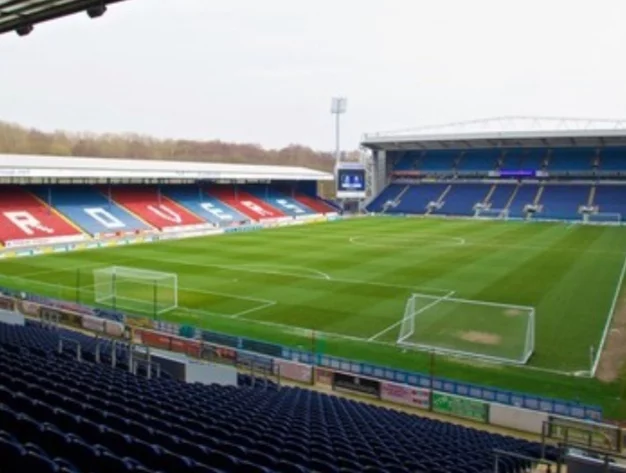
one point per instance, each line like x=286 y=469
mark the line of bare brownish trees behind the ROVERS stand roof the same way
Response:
x=16 y=139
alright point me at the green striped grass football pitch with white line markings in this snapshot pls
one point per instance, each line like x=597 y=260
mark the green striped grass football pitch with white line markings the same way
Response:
x=350 y=280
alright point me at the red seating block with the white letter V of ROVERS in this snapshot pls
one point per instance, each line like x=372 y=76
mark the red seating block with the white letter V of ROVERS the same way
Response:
x=149 y=205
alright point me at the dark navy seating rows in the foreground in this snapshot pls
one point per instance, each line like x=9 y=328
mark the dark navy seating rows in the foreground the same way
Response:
x=59 y=414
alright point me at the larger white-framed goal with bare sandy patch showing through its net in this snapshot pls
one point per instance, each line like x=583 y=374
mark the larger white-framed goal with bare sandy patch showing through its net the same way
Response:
x=477 y=329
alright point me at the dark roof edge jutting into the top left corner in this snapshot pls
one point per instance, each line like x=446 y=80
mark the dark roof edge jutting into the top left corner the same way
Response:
x=22 y=15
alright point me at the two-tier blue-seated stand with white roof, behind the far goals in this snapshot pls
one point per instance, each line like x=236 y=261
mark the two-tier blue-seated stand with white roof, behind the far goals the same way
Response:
x=523 y=168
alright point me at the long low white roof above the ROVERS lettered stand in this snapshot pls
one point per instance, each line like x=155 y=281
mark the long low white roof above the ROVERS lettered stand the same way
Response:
x=25 y=166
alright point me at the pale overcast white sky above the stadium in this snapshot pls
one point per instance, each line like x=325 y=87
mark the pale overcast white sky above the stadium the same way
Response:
x=263 y=71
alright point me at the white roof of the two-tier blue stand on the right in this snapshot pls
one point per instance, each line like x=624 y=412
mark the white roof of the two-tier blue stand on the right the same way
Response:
x=504 y=132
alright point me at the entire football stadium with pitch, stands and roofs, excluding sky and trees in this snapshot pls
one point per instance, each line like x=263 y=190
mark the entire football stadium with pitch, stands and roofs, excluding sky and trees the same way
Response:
x=458 y=307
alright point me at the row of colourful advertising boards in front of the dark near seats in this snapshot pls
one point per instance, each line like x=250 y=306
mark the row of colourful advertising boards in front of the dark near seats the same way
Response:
x=384 y=384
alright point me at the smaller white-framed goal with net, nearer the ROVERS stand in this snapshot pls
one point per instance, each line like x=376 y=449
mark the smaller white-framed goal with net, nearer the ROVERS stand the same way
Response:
x=136 y=290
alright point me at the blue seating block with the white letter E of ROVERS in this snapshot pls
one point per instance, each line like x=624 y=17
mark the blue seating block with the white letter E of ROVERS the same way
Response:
x=197 y=201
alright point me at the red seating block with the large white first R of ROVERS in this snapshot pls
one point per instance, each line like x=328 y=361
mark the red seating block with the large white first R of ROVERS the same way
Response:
x=25 y=217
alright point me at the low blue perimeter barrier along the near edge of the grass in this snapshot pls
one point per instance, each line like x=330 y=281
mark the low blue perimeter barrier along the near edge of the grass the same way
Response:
x=188 y=339
